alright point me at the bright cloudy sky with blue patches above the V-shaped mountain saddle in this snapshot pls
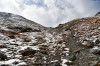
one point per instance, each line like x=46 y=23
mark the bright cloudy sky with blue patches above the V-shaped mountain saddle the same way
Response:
x=51 y=12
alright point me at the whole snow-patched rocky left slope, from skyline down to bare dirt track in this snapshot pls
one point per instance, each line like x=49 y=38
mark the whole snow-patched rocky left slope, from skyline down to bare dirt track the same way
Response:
x=25 y=43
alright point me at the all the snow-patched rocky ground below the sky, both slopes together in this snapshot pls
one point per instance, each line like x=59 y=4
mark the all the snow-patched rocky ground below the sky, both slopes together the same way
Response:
x=26 y=43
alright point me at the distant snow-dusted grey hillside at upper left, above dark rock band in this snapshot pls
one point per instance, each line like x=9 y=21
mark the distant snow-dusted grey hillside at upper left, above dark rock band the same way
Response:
x=17 y=23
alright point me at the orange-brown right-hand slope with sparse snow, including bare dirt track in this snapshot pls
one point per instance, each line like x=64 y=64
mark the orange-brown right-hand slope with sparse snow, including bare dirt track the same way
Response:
x=83 y=40
